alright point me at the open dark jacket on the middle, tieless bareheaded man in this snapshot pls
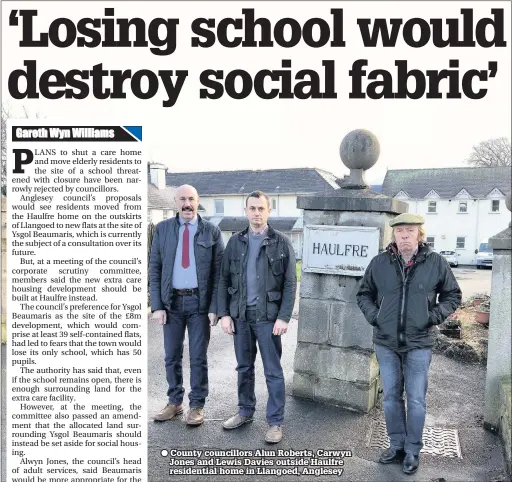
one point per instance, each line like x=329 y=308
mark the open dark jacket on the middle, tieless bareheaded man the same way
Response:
x=277 y=277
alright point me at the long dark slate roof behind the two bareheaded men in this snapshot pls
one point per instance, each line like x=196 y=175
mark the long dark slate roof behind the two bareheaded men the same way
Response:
x=271 y=181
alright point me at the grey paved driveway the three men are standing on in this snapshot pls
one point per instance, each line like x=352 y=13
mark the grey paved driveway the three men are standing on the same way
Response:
x=456 y=400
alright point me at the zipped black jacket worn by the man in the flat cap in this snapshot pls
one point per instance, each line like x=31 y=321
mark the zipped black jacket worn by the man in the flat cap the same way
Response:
x=401 y=308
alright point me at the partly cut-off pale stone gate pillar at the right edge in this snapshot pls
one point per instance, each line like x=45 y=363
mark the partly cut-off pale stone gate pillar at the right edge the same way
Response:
x=499 y=352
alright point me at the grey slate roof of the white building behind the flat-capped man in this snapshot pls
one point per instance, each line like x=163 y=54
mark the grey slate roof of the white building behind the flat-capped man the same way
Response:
x=447 y=182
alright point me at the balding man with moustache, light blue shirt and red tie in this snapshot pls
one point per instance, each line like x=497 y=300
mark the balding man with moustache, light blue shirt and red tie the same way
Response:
x=184 y=272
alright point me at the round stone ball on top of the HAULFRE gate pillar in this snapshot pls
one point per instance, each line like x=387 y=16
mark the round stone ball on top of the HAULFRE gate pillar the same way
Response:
x=359 y=149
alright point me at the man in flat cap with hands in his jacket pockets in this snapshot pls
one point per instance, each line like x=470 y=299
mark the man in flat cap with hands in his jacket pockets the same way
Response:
x=405 y=291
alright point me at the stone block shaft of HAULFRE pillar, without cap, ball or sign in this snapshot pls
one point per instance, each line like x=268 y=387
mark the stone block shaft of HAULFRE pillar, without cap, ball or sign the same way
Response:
x=334 y=361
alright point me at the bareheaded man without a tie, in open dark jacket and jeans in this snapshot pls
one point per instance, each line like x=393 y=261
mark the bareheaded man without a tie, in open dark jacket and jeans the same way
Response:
x=255 y=302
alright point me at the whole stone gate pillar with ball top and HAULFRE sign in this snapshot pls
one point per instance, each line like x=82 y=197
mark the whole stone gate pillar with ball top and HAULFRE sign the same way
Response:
x=334 y=361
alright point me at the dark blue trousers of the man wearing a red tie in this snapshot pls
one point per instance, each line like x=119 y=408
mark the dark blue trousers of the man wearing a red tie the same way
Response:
x=184 y=314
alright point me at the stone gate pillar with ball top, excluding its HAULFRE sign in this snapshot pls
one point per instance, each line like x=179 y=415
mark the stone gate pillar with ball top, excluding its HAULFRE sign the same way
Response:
x=334 y=361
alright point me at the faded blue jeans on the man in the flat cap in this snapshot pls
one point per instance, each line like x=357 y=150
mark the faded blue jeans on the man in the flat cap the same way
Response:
x=397 y=370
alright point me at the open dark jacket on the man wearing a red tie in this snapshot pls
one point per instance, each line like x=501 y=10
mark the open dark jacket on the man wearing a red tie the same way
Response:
x=208 y=250
